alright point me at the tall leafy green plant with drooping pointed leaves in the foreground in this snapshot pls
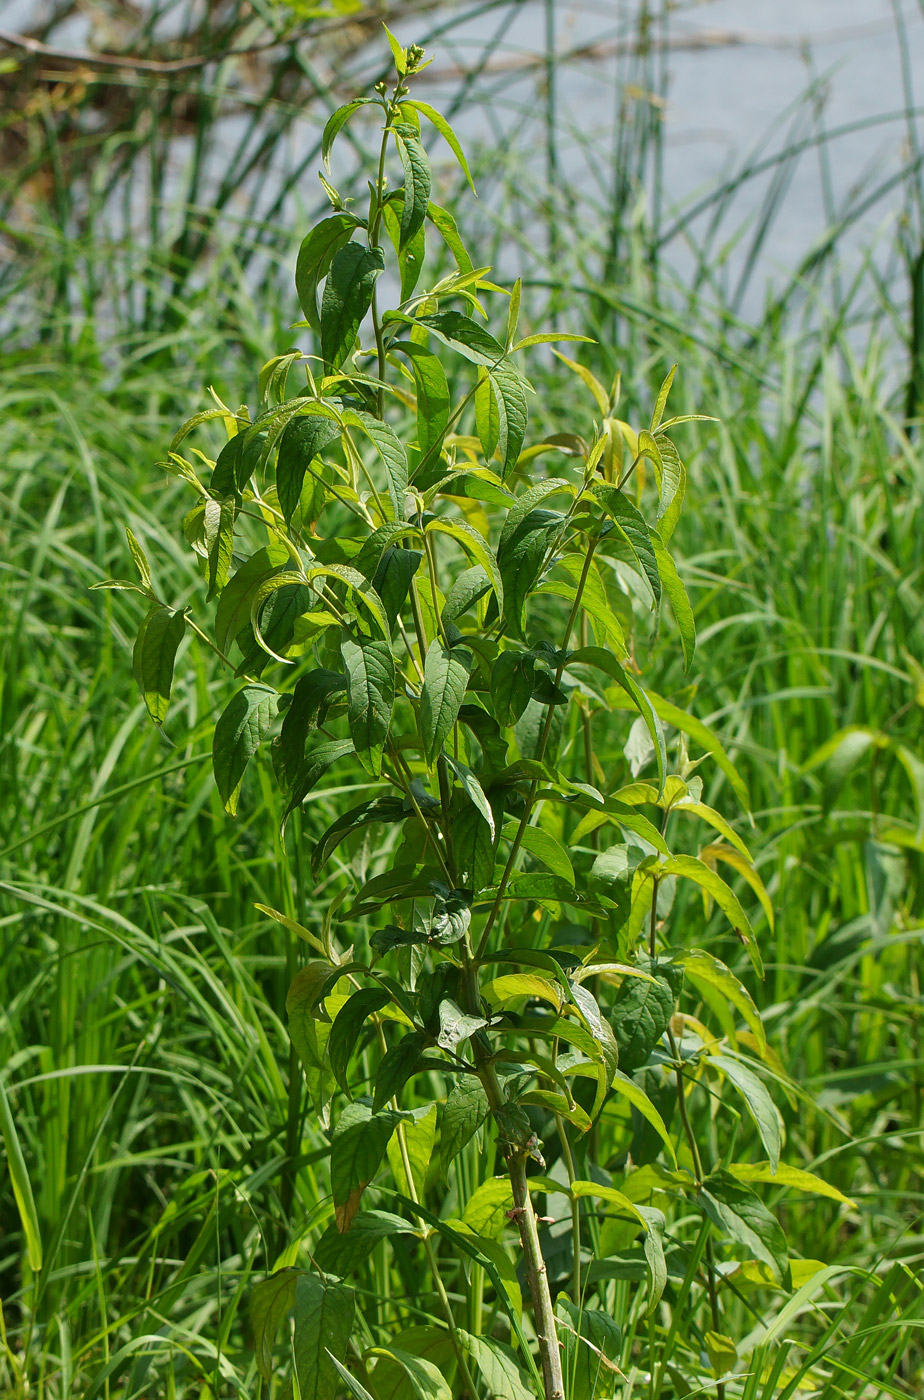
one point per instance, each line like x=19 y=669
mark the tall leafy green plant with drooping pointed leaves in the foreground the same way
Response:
x=345 y=534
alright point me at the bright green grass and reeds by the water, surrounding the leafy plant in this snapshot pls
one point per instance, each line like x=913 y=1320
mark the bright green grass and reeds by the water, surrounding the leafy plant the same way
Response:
x=142 y=995
